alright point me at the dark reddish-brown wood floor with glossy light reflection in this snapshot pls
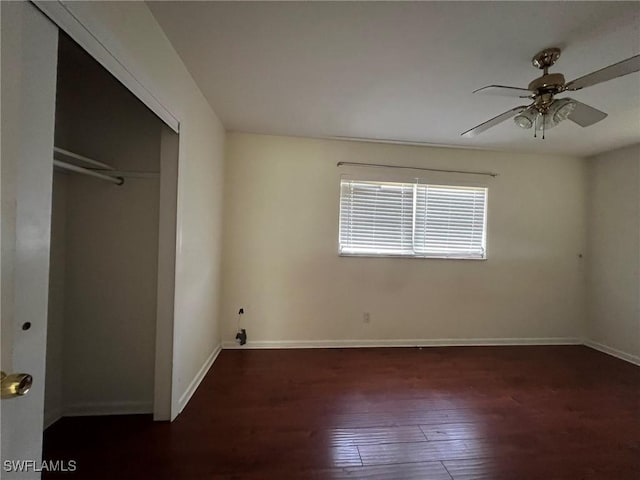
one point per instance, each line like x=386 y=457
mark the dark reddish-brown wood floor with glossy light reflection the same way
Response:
x=430 y=414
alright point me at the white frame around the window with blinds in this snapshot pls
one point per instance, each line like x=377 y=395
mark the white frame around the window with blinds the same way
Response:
x=447 y=181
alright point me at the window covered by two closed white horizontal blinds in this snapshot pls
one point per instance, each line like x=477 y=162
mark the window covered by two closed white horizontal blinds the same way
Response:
x=412 y=219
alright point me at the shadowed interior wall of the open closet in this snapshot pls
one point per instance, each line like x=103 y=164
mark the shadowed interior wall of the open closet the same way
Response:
x=104 y=250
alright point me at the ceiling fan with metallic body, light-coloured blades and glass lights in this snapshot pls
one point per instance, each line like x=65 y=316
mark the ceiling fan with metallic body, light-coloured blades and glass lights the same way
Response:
x=546 y=111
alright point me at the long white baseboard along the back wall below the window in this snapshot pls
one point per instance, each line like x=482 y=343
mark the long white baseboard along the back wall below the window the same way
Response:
x=439 y=342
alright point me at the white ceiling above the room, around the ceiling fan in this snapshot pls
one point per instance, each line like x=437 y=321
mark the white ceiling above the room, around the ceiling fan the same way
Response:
x=404 y=71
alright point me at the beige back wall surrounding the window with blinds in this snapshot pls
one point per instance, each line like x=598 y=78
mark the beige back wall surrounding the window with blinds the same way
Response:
x=281 y=262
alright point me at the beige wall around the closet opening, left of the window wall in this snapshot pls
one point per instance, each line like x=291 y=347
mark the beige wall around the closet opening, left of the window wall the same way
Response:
x=131 y=33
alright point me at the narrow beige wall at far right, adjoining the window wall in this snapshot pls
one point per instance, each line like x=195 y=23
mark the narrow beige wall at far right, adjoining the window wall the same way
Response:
x=614 y=251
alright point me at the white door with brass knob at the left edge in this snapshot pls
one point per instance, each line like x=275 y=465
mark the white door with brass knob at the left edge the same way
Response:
x=28 y=77
